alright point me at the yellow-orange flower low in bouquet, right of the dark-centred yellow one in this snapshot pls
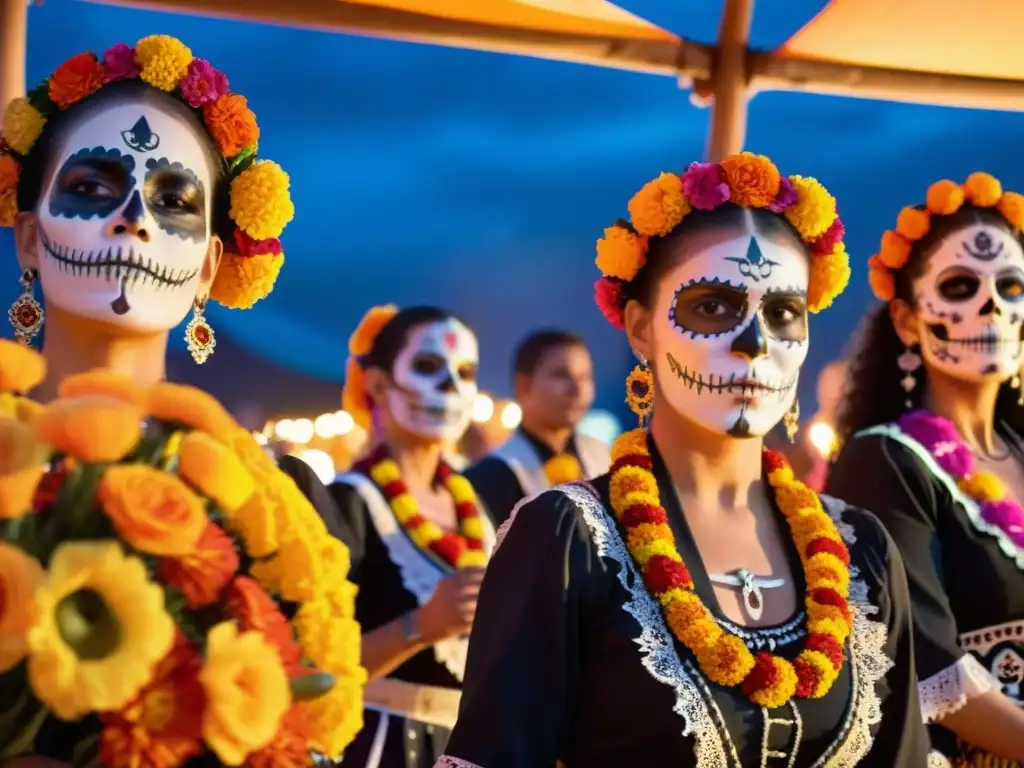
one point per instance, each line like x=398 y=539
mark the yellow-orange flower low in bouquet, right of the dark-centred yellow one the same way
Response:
x=247 y=693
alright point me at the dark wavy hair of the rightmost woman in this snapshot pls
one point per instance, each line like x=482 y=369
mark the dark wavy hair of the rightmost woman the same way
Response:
x=874 y=395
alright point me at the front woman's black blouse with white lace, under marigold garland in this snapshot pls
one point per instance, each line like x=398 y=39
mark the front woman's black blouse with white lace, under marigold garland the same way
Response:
x=570 y=659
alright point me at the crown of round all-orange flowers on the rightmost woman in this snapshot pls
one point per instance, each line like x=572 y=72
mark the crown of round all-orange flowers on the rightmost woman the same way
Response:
x=945 y=199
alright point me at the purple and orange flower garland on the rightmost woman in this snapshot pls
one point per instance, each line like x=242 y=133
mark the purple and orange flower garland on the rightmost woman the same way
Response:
x=941 y=439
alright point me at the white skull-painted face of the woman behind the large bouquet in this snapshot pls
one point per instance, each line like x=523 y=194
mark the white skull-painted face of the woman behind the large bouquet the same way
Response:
x=125 y=220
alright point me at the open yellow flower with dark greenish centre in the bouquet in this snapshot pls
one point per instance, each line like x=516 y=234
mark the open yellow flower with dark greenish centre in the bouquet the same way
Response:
x=100 y=629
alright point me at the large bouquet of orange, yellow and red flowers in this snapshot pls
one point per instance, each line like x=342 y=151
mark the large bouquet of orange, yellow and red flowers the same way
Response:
x=164 y=582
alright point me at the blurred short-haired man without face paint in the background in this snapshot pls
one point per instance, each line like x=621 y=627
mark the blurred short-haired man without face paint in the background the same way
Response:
x=553 y=378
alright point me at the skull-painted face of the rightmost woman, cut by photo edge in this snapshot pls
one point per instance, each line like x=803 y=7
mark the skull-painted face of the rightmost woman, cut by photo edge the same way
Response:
x=971 y=305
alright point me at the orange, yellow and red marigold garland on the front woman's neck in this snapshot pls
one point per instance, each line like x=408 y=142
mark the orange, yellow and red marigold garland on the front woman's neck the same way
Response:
x=769 y=680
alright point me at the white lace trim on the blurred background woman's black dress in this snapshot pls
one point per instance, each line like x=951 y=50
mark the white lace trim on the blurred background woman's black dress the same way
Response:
x=420 y=575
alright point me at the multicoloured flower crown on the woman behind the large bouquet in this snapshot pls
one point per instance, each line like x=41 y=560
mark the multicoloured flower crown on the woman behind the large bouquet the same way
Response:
x=261 y=203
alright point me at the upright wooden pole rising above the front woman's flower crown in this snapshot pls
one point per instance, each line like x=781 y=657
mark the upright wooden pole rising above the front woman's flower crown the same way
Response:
x=730 y=82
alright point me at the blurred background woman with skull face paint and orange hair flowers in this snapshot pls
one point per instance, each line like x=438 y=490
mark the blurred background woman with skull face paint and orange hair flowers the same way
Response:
x=422 y=537
